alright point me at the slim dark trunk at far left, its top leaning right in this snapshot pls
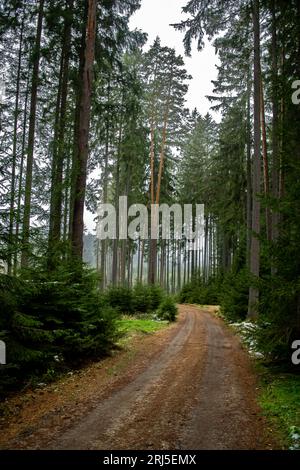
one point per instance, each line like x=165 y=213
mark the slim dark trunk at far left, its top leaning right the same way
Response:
x=31 y=137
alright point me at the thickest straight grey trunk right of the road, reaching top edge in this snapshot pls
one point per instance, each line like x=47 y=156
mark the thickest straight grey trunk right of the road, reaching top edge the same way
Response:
x=255 y=244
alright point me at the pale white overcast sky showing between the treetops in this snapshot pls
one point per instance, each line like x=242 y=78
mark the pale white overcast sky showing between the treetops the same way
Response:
x=154 y=18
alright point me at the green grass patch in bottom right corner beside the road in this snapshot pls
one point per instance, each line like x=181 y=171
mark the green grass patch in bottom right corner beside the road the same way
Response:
x=280 y=402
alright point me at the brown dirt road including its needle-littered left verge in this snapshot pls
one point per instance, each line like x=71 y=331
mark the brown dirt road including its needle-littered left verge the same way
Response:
x=187 y=387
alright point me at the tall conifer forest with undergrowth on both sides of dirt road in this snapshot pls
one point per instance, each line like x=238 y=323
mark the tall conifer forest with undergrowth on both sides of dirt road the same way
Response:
x=91 y=112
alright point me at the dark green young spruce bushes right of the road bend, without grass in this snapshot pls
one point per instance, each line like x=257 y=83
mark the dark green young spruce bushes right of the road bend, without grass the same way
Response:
x=276 y=326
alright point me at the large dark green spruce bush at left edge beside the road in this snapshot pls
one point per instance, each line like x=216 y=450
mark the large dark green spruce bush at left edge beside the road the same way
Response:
x=51 y=321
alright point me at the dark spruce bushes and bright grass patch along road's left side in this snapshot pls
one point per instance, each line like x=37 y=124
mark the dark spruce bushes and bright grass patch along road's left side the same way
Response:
x=52 y=324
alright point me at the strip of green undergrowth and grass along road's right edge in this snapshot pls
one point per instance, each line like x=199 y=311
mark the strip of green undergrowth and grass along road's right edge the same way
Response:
x=268 y=341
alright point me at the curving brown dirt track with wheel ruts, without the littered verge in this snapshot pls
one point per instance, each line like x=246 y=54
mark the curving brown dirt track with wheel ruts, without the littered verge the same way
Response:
x=197 y=394
